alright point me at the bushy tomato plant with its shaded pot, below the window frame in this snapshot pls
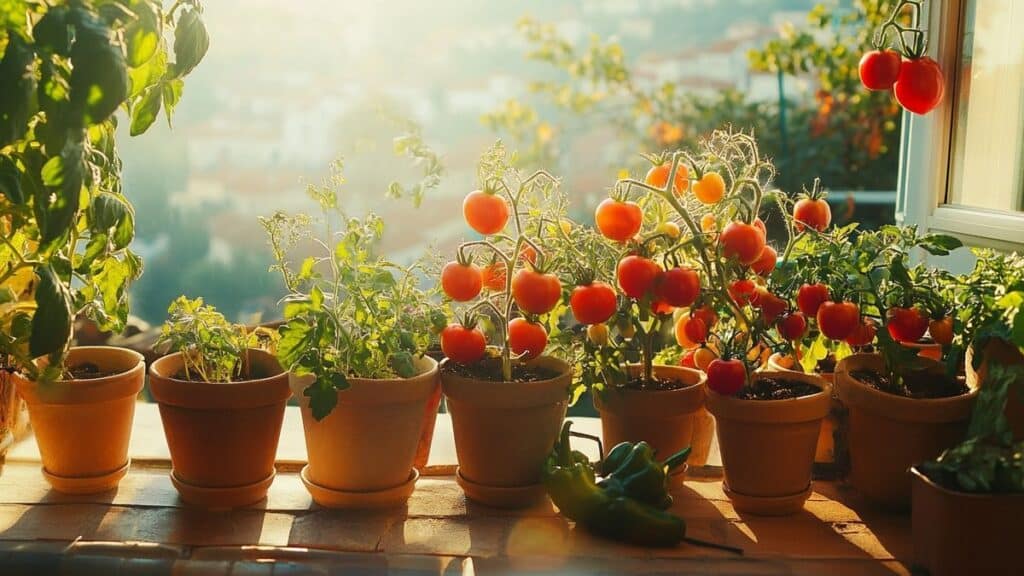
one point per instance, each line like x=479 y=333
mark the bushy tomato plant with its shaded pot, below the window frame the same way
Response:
x=894 y=397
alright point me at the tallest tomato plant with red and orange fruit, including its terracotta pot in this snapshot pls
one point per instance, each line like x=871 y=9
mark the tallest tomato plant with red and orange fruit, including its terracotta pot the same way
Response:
x=767 y=423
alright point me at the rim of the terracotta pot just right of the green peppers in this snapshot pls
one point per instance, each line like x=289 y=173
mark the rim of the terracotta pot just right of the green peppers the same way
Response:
x=803 y=409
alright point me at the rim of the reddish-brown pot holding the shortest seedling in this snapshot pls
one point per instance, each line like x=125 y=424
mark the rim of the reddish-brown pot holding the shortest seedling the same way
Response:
x=219 y=396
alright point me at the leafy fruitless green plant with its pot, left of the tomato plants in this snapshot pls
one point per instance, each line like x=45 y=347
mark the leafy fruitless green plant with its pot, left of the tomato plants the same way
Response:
x=356 y=331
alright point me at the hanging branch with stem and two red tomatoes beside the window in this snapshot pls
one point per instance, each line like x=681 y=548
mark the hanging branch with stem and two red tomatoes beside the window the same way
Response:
x=916 y=80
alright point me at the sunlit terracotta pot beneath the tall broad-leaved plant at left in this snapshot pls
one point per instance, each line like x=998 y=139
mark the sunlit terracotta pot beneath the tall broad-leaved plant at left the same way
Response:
x=83 y=426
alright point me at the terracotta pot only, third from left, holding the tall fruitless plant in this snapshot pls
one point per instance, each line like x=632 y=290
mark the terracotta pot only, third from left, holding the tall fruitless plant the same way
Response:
x=362 y=455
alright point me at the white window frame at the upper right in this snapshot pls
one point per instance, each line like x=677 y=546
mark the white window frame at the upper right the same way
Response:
x=926 y=153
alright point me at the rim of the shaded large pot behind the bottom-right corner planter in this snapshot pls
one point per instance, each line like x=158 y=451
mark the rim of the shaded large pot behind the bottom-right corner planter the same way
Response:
x=856 y=393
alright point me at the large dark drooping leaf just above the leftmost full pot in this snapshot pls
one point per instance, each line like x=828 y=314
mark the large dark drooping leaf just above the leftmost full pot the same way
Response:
x=53 y=321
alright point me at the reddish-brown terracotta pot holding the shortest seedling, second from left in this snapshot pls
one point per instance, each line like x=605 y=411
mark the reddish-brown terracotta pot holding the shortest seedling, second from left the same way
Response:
x=223 y=436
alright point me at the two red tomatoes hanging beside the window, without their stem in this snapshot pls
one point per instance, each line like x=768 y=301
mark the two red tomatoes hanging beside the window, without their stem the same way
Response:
x=918 y=84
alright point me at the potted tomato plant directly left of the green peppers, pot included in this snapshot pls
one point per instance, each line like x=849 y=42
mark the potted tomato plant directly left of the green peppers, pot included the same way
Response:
x=507 y=401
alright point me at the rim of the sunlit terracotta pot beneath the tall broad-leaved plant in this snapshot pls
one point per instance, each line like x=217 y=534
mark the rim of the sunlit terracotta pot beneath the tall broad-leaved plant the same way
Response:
x=127 y=382
